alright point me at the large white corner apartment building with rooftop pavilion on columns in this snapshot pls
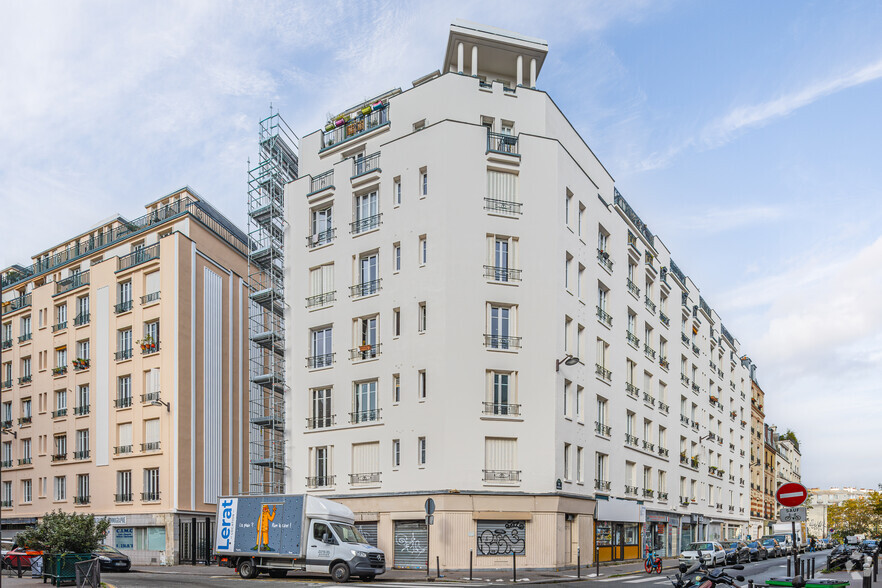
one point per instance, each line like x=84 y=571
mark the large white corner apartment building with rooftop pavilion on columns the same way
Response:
x=483 y=320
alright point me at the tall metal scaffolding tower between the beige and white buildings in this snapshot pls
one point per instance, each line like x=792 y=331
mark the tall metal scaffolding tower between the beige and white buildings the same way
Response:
x=277 y=165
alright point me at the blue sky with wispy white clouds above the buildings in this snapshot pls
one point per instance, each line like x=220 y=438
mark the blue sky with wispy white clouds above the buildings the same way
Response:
x=746 y=134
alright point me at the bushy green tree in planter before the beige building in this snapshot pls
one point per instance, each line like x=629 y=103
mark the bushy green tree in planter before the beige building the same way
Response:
x=61 y=532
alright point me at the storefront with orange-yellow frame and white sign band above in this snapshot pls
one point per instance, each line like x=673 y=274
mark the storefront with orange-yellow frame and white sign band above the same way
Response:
x=618 y=528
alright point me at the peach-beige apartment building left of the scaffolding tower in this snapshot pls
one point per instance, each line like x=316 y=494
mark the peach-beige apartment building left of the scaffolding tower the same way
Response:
x=125 y=377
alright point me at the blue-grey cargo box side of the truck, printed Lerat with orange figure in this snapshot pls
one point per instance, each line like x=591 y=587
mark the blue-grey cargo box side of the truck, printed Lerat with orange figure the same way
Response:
x=260 y=525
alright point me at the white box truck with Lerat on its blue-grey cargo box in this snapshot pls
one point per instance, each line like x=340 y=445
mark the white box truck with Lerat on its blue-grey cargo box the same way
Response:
x=274 y=534
